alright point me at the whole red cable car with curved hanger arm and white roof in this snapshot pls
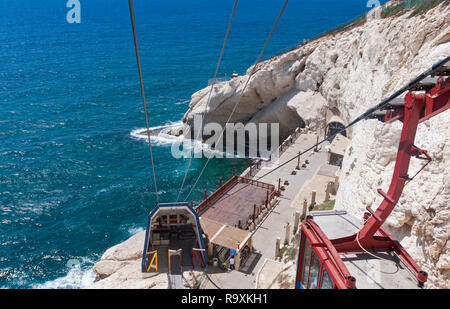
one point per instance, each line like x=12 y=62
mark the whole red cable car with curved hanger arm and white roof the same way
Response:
x=371 y=257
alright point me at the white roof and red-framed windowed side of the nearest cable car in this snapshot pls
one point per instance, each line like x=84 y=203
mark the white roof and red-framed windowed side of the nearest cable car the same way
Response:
x=316 y=270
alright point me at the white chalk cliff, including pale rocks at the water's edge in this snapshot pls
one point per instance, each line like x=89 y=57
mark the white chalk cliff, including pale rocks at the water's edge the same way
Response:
x=348 y=71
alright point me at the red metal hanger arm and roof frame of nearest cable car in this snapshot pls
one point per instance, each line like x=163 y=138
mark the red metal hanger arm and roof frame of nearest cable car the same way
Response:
x=418 y=107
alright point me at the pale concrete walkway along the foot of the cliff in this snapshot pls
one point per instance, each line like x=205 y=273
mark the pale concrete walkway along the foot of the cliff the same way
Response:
x=273 y=225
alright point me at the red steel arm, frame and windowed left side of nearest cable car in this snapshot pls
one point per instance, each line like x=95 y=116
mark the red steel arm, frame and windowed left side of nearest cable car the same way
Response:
x=418 y=106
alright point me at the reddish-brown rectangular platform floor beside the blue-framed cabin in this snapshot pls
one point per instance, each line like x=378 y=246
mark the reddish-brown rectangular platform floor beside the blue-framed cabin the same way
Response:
x=236 y=204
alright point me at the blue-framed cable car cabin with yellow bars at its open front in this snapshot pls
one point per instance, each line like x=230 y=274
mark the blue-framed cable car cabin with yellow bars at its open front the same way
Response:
x=173 y=233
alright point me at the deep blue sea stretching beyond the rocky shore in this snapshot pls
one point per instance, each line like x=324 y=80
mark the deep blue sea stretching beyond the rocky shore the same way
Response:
x=74 y=181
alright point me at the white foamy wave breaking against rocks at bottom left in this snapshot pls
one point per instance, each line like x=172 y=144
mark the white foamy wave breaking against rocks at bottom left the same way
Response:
x=80 y=275
